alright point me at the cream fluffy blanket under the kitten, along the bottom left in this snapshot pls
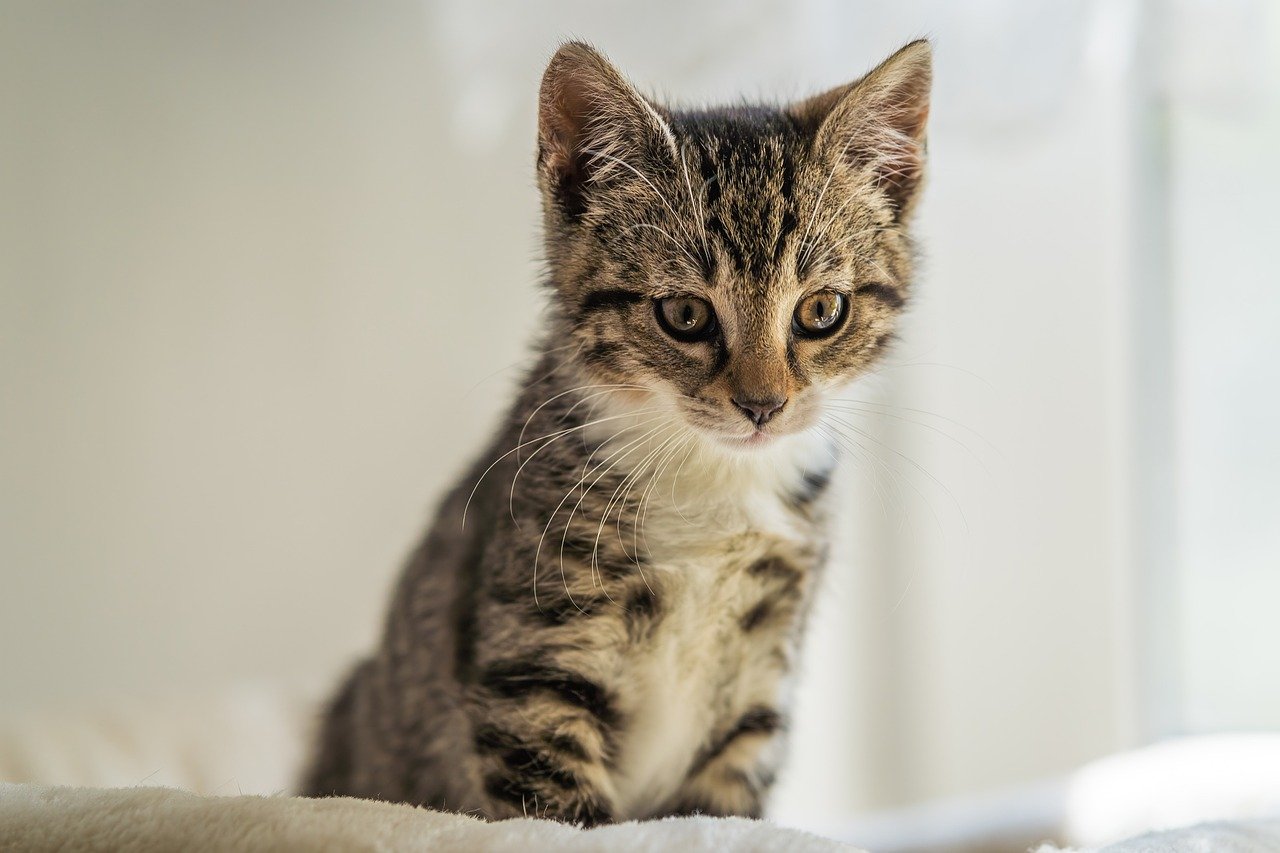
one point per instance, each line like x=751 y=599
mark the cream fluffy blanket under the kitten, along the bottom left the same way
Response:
x=162 y=819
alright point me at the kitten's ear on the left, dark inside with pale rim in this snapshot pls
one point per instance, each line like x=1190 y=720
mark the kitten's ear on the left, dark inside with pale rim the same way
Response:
x=593 y=125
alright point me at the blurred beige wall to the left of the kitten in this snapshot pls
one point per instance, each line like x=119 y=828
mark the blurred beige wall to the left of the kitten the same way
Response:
x=248 y=290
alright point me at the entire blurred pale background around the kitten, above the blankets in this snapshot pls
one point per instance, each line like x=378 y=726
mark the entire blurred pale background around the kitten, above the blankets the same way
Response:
x=268 y=276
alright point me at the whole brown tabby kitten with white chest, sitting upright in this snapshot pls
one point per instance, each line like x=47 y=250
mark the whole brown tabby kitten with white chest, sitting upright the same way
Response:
x=604 y=621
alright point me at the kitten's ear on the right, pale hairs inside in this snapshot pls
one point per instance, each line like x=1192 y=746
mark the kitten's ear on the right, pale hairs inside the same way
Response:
x=879 y=122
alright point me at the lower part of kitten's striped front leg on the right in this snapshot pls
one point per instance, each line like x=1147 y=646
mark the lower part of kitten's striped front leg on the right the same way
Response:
x=735 y=773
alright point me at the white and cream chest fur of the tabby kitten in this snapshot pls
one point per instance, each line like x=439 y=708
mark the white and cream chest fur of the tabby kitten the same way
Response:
x=721 y=516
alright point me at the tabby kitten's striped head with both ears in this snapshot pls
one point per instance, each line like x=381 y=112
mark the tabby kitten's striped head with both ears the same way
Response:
x=735 y=264
